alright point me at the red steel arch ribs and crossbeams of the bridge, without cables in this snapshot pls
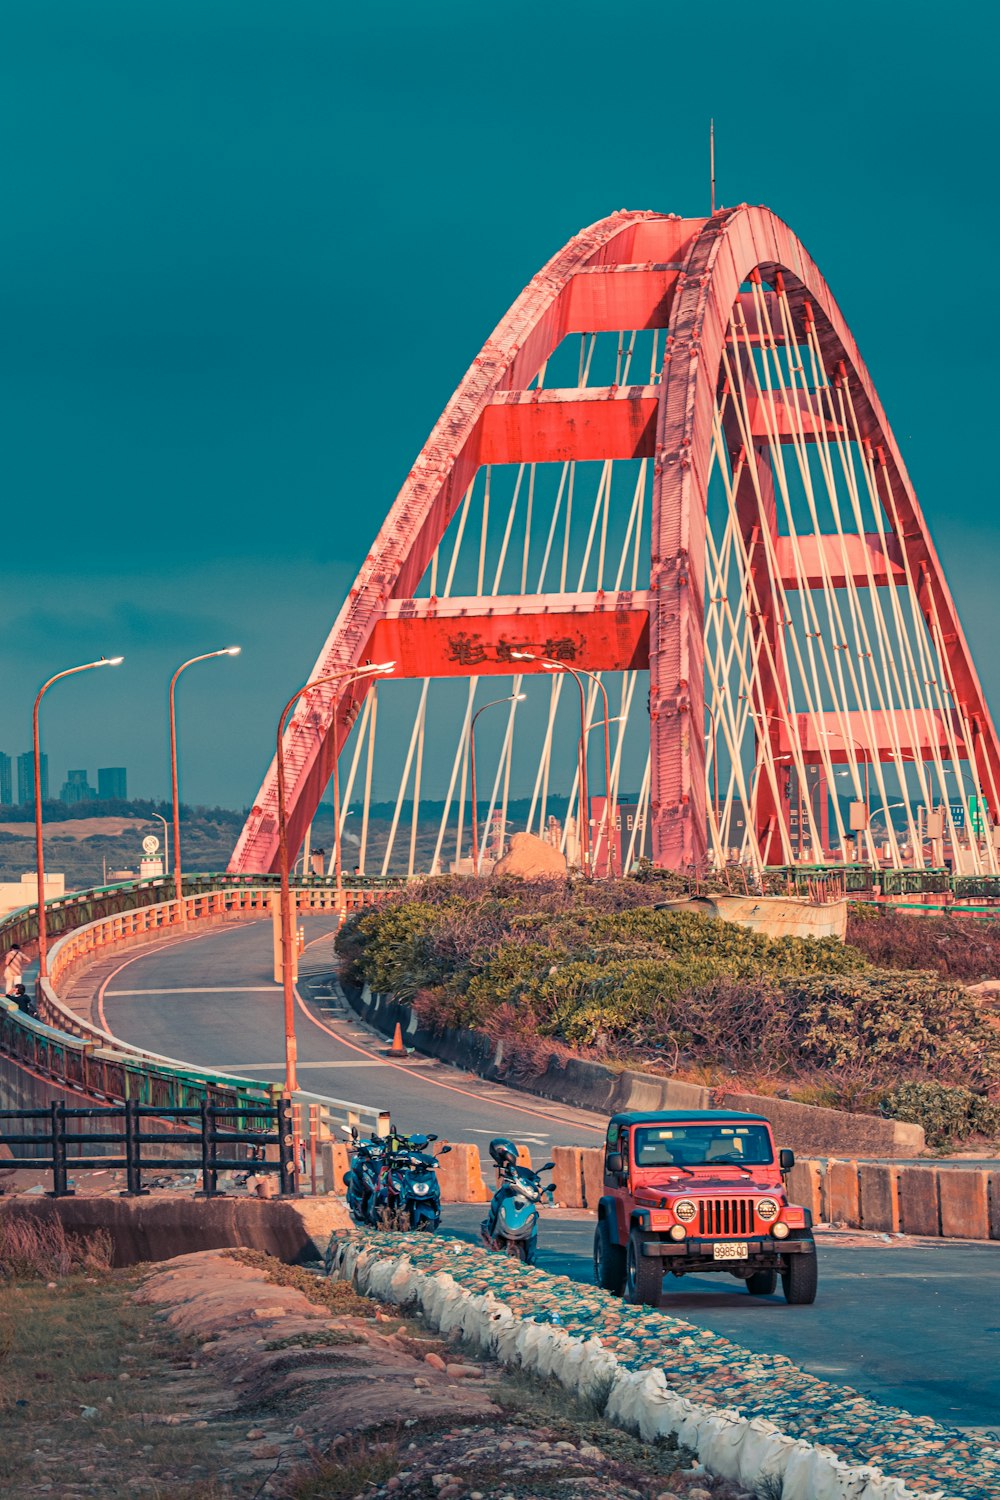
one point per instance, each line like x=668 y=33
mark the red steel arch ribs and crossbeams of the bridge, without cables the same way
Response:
x=728 y=292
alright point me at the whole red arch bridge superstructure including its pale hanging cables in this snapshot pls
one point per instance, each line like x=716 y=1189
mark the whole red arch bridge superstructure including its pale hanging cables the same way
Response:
x=668 y=472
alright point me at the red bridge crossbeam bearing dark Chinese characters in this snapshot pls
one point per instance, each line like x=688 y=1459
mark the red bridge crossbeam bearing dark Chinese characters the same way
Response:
x=464 y=638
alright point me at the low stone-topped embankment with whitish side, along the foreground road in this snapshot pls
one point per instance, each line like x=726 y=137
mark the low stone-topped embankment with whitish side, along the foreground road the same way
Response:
x=756 y=1420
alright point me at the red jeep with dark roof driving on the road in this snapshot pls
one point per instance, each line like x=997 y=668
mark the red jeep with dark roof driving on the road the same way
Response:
x=695 y=1192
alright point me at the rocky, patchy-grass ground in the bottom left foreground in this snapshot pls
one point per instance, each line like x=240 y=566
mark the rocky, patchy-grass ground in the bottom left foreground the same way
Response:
x=229 y=1376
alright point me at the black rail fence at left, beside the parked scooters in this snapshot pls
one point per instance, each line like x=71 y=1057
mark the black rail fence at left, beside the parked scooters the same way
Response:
x=202 y=1139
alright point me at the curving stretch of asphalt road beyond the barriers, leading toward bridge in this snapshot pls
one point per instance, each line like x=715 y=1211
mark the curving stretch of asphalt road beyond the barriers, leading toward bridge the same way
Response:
x=212 y=1001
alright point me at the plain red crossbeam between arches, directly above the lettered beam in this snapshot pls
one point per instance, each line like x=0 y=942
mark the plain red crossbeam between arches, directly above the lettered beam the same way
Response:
x=554 y=427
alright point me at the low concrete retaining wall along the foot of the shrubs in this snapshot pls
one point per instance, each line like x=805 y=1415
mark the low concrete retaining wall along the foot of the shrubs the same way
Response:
x=596 y=1087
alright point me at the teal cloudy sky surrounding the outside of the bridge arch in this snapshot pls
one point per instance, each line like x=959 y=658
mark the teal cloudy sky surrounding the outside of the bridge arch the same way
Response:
x=250 y=250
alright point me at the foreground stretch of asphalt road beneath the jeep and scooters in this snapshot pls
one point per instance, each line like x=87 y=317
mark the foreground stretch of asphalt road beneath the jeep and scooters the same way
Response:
x=908 y=1325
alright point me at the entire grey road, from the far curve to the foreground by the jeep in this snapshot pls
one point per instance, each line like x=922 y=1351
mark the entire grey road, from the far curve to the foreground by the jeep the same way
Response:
x=906 y=1324
